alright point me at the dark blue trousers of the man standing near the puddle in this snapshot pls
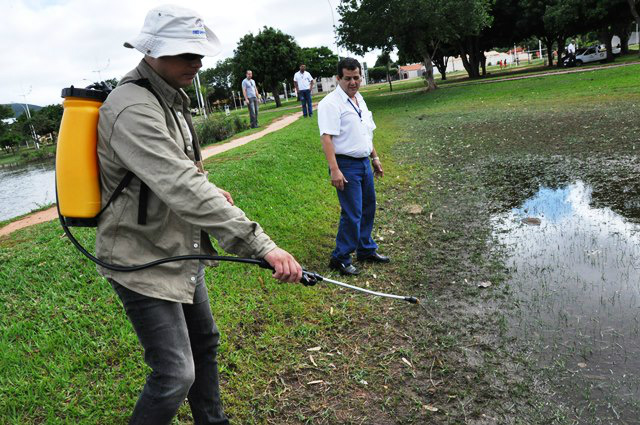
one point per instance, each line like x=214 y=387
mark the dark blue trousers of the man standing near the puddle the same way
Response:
x=358 y=203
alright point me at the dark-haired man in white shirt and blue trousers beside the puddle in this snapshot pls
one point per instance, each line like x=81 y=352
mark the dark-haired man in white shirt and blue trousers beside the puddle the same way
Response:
x=346 y=128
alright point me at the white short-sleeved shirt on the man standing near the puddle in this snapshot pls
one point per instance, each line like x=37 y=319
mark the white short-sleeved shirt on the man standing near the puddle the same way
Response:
x=338 y=116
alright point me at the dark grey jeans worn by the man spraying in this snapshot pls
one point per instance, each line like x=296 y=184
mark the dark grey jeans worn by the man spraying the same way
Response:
x=180 y=344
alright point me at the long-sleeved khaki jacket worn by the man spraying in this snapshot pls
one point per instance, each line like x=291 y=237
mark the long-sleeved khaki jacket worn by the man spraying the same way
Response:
x=137 y=133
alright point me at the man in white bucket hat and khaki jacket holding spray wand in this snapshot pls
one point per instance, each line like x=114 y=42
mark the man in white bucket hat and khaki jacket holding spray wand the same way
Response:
x=169 y=208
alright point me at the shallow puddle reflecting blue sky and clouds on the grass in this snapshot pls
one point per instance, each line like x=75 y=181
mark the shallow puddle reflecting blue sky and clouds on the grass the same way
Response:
x=575 y=276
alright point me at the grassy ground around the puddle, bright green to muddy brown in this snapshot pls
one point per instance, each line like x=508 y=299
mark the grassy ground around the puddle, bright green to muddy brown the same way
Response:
x=463 y=155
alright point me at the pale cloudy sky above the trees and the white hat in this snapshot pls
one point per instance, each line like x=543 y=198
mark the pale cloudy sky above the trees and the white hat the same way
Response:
x=46 y=45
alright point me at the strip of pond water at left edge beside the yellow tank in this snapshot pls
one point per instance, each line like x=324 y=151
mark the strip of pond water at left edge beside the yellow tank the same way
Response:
x=24 y=188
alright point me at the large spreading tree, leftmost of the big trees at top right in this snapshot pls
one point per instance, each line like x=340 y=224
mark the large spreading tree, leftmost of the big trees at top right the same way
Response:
x=418 y=28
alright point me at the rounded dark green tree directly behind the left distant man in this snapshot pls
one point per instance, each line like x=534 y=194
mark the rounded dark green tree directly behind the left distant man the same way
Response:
x=272 y=56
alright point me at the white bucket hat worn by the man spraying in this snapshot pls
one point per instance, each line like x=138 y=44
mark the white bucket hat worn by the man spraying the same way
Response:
x=172 y=30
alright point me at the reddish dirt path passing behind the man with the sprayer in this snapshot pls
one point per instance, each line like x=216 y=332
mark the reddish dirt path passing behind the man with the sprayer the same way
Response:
x=52 y=213
